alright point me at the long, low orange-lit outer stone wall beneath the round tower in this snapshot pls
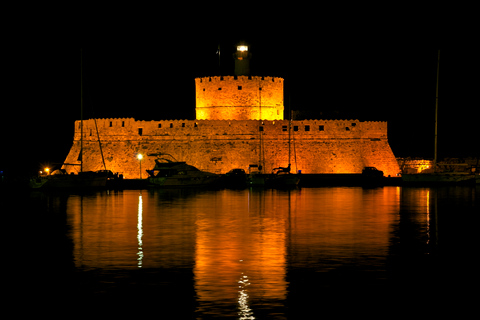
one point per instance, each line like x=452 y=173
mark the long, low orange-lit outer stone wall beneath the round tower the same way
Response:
x=316 y=146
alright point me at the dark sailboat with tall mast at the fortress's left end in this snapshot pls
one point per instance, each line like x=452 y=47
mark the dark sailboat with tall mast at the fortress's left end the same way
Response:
x=60 y=179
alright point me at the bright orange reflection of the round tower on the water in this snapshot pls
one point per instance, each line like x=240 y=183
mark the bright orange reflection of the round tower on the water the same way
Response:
x=241 y=233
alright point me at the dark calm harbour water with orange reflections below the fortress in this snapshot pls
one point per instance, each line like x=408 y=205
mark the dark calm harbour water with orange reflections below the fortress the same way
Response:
x=310 y=253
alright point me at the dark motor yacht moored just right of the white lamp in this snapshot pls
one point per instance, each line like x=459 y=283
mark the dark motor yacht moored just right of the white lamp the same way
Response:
x=171 y=174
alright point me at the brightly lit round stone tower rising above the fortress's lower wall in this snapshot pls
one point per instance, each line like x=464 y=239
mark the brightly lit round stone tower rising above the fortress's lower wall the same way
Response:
x=239 y=98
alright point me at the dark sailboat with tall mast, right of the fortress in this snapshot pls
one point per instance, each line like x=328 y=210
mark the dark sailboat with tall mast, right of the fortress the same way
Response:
x=438 y=176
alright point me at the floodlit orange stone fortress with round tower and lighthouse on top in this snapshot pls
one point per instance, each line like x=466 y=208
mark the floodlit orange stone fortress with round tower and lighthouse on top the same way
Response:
x=239 y=124
